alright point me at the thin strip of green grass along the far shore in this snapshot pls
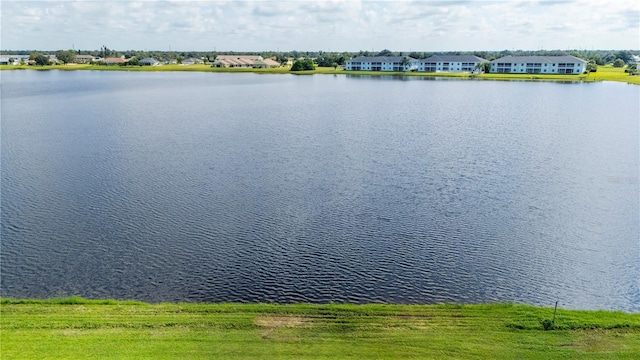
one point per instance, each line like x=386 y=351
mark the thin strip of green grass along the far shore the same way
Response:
x=604 y=73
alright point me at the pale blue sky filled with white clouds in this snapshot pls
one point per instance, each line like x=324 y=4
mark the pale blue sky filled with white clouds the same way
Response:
x=341 y=25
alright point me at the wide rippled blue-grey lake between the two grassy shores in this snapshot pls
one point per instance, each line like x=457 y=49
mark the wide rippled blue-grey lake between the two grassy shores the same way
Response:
x=210 y=187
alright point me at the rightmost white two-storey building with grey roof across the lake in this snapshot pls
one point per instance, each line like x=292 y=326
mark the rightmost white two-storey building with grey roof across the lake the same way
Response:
x=539 y=65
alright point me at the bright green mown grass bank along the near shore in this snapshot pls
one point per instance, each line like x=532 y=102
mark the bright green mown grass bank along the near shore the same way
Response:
x=76 y=328
